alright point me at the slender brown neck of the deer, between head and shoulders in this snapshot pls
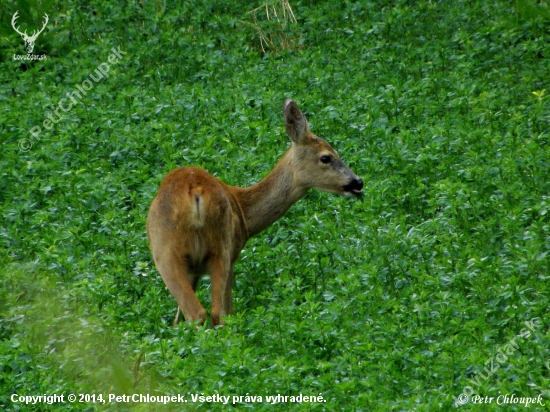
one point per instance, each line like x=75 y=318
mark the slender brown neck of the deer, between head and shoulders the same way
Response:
x=265 y=202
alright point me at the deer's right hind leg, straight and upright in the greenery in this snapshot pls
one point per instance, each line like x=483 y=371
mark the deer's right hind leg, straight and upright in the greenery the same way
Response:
x=221 y=274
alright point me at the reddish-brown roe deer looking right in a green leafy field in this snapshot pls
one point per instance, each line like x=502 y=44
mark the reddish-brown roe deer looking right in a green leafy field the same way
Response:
x=198 y=224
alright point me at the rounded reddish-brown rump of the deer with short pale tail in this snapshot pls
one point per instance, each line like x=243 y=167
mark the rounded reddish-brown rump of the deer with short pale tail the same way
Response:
x=196 y=218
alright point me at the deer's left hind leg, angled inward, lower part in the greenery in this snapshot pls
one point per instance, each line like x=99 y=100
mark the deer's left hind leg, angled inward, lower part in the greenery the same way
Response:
x=181 y=284
